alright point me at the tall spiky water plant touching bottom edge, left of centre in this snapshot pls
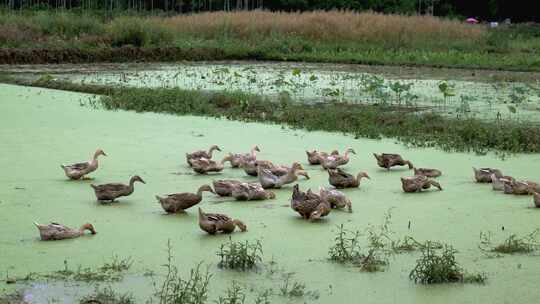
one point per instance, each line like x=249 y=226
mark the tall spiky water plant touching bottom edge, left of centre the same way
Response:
x=175 y=289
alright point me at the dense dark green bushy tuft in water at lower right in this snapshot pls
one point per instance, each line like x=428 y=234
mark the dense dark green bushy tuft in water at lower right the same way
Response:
x=440 y=266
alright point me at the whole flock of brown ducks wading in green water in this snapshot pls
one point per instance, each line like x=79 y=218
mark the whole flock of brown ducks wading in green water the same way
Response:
x=310 y=205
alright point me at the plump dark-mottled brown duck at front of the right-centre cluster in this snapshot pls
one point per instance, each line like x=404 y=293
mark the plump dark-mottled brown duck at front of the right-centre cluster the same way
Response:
x=308 y=204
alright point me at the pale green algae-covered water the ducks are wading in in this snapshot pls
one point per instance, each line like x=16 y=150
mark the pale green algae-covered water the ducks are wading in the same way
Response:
x=40 y=129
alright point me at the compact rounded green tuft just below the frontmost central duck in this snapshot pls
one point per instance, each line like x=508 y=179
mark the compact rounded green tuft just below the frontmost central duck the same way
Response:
x=240 y=255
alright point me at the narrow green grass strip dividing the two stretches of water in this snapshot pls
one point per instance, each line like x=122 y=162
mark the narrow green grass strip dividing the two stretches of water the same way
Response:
x=412 y=126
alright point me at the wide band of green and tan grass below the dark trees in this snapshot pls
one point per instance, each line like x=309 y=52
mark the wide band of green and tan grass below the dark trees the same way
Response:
x=332 y=36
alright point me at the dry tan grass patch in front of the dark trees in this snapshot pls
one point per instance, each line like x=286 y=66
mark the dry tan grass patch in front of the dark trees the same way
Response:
x=357 y=27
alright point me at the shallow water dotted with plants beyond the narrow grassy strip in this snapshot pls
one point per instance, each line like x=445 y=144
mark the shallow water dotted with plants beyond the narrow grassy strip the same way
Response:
x=470 y=96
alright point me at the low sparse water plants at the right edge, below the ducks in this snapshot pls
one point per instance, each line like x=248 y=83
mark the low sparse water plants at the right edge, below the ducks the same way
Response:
x=512 y=244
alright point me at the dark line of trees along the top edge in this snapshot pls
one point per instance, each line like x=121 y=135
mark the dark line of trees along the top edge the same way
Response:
x=487 y=10
